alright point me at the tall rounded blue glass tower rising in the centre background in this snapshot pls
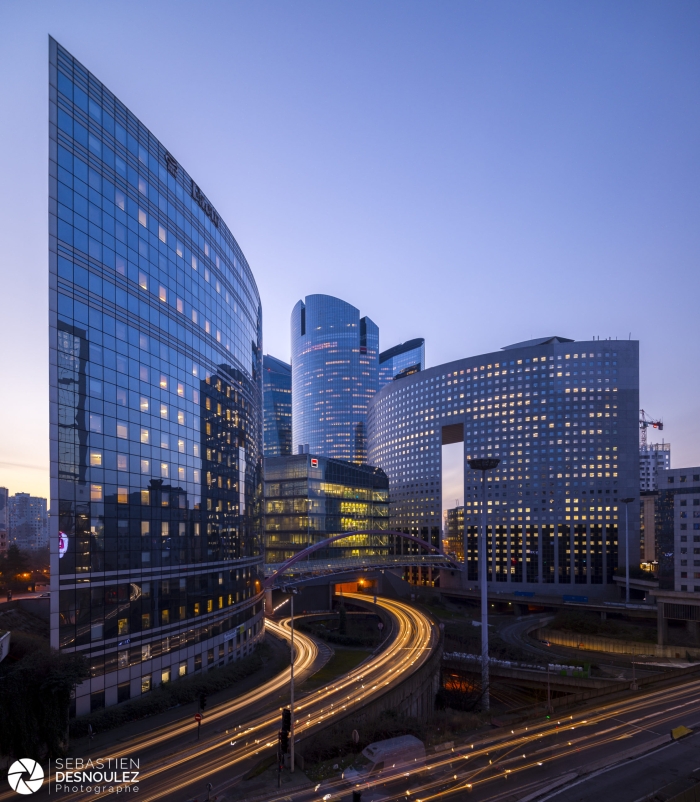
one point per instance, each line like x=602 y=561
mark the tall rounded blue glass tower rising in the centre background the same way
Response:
x=334 y=376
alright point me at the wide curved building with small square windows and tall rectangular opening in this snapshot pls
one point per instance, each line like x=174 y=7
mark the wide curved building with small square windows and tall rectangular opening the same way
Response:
x=562 y=417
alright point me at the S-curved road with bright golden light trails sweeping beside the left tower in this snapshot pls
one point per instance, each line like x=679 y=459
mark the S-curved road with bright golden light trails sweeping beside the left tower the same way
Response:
x=228 y=752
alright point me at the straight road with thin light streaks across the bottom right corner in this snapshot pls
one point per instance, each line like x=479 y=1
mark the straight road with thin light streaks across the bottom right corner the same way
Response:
x=546 y=760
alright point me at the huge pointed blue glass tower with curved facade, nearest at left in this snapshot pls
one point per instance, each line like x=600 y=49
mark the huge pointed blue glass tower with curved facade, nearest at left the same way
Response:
x=156 y=405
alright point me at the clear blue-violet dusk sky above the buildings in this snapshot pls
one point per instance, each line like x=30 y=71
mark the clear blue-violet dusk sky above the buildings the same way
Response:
x=477 y=173
